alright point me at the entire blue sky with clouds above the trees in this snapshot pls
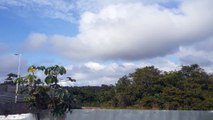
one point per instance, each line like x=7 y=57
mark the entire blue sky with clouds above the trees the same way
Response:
x=99 y=41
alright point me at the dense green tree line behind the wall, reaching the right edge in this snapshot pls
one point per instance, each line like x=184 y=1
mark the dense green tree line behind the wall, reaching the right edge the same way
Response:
x=190 y=88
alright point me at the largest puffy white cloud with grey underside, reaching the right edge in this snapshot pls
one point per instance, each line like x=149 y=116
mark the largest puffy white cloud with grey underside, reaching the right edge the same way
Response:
x=137 y=31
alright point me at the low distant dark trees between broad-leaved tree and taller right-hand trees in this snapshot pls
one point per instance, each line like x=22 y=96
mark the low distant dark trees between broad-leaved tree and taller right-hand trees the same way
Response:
x=93 y=96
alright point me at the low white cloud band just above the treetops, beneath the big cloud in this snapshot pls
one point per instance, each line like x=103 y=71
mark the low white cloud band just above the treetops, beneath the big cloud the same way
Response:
x=91 y=73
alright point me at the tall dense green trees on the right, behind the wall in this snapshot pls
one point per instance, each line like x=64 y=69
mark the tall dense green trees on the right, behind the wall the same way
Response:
x=190 y=88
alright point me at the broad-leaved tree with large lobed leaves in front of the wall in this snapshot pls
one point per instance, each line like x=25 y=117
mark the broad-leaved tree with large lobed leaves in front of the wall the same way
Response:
x=46 y=94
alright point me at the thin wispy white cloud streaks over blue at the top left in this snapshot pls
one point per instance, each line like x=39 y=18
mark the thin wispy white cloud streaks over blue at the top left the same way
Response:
x=57 y=9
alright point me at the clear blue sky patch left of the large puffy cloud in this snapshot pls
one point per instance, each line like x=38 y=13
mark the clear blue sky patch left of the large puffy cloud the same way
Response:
x=22 y=26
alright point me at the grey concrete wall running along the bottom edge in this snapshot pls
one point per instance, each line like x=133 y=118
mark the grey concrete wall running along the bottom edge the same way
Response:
x=103 y=114
